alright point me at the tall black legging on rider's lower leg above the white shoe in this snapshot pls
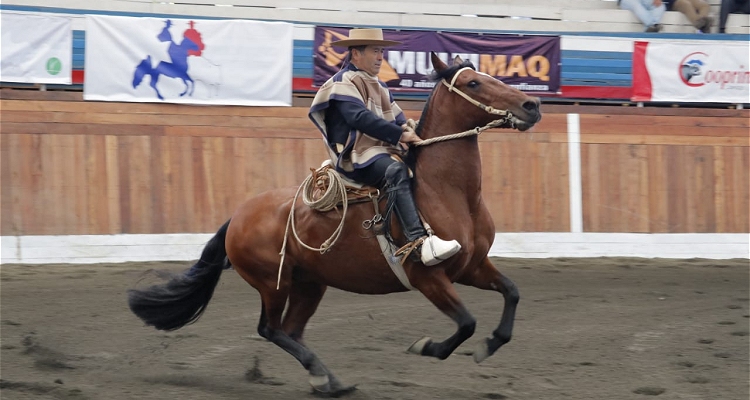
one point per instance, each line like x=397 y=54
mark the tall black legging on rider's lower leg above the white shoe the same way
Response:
x=397 y=181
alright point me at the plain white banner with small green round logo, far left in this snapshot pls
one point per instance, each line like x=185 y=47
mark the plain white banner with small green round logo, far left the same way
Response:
x=36 y=48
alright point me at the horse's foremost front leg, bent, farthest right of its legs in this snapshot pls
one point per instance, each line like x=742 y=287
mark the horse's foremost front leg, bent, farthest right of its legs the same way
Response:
x=487 y=277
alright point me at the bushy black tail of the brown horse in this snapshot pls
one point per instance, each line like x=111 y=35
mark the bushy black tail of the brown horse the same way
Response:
x=183 y=299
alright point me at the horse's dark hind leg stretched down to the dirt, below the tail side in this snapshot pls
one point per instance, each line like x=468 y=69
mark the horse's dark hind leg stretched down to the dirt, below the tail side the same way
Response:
x=270 y=327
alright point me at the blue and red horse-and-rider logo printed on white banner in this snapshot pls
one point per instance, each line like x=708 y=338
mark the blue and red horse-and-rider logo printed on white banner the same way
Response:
x=191 y=44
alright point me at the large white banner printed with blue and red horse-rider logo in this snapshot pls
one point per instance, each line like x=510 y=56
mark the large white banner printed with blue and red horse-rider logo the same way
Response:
x=191 y=61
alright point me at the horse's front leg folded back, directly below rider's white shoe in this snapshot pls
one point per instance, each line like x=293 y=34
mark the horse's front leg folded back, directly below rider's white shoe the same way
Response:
x=440 y=291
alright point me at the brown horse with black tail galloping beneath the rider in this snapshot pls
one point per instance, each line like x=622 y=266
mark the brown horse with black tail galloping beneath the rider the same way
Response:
x=447 y=188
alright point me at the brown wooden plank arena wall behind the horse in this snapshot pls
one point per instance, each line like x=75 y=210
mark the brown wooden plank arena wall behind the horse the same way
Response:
x=73 y=167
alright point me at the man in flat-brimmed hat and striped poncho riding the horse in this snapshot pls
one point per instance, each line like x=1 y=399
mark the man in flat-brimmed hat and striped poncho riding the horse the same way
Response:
x=366 y=132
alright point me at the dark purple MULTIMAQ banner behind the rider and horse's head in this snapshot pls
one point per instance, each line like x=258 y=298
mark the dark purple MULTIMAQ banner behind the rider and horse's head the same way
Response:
x=530 y=63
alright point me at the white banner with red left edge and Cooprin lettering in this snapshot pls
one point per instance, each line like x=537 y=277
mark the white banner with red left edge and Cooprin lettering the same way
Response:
x=691 y=72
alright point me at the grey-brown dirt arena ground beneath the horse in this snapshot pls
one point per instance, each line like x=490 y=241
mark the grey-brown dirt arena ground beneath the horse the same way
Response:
x=602 y=328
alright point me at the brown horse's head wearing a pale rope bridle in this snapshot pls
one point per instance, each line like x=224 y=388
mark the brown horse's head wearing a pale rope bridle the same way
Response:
x=486 y=98
